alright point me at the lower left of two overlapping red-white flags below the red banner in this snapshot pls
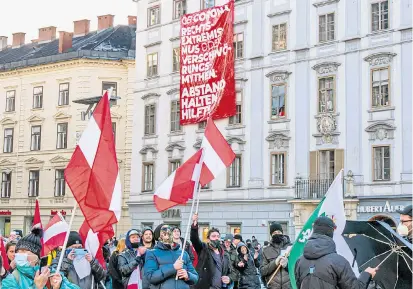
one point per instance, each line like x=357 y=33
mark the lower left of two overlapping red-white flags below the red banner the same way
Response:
x=180 y=186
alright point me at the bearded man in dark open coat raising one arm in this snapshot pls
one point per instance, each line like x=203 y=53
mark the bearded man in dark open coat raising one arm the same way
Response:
x=213 y=265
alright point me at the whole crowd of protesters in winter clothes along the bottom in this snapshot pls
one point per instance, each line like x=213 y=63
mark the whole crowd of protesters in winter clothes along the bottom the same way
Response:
x=157 y=258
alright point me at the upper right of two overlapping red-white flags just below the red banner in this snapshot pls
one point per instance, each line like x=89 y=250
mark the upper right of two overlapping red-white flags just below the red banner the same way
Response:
x=218 y=154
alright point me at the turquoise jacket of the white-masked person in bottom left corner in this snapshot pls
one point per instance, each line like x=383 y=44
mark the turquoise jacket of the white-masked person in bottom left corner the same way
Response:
x=19 y=280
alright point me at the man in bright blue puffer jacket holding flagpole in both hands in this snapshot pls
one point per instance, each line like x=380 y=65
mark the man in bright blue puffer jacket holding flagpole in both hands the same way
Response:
x=163 y=264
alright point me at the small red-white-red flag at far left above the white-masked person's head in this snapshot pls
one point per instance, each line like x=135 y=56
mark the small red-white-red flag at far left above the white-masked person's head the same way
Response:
x=54 y=234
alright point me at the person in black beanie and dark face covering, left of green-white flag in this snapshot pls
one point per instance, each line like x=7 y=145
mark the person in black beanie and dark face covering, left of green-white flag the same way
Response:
x=273 y=257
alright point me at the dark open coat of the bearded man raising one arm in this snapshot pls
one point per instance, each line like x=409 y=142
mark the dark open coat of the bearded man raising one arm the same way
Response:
x=206 y=264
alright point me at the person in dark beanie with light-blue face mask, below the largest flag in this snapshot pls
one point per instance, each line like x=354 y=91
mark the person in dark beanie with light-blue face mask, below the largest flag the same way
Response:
x=77 y=260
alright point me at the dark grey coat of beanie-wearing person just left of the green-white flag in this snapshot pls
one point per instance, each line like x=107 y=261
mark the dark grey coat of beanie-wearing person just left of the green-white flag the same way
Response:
x=268 y=266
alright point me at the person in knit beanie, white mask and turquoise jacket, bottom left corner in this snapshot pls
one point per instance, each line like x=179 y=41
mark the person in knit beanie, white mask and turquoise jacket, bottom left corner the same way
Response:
x=28 y=273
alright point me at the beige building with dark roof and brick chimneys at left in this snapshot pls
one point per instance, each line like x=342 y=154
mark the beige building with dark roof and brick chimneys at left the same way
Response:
x=40 y=123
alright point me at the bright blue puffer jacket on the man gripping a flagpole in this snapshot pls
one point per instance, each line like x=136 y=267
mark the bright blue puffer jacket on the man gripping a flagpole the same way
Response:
x=159 y=268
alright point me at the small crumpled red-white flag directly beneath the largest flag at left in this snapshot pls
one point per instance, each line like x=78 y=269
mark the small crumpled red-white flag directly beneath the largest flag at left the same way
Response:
x=94 y=242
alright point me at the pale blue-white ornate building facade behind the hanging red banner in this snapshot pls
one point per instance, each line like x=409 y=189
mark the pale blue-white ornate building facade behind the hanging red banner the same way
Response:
x=321 y=86
